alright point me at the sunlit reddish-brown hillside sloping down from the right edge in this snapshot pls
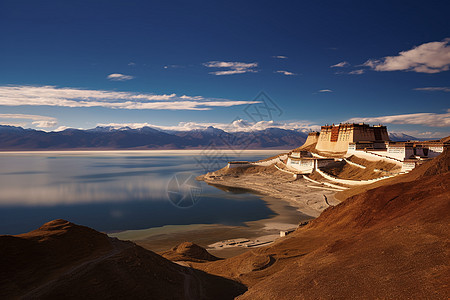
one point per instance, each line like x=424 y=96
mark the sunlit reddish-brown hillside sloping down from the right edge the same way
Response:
x=391 y=241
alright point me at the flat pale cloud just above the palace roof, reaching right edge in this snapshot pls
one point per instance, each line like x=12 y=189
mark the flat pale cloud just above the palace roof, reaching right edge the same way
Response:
x=426 y=119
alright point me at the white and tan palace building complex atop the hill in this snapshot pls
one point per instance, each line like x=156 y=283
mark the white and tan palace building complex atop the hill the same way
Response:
x=337 y=142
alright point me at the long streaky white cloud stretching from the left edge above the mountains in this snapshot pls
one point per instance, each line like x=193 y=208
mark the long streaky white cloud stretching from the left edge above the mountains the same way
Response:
x=73 y=97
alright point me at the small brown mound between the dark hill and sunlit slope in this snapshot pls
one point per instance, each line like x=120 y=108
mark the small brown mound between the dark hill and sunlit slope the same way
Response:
x=188 y=251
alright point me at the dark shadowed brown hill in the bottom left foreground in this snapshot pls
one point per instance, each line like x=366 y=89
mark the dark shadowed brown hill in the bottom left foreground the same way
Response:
x=62 y=260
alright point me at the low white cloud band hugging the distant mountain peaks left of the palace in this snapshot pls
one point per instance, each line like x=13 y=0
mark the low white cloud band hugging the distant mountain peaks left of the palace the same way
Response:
x=236 y=126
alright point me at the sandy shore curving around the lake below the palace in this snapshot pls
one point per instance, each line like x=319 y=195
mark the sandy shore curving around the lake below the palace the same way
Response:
x=293 y=201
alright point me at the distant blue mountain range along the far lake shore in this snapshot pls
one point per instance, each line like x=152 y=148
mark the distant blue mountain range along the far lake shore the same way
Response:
x=17 y=138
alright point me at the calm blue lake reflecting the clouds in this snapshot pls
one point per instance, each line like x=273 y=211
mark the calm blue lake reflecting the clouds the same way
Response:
x=121 y=190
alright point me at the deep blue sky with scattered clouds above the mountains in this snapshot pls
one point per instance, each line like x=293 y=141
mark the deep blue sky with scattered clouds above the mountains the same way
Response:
x=190 y=64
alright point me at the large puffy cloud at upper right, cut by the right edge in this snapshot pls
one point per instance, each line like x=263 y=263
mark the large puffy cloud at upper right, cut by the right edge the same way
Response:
x=433 y=57
